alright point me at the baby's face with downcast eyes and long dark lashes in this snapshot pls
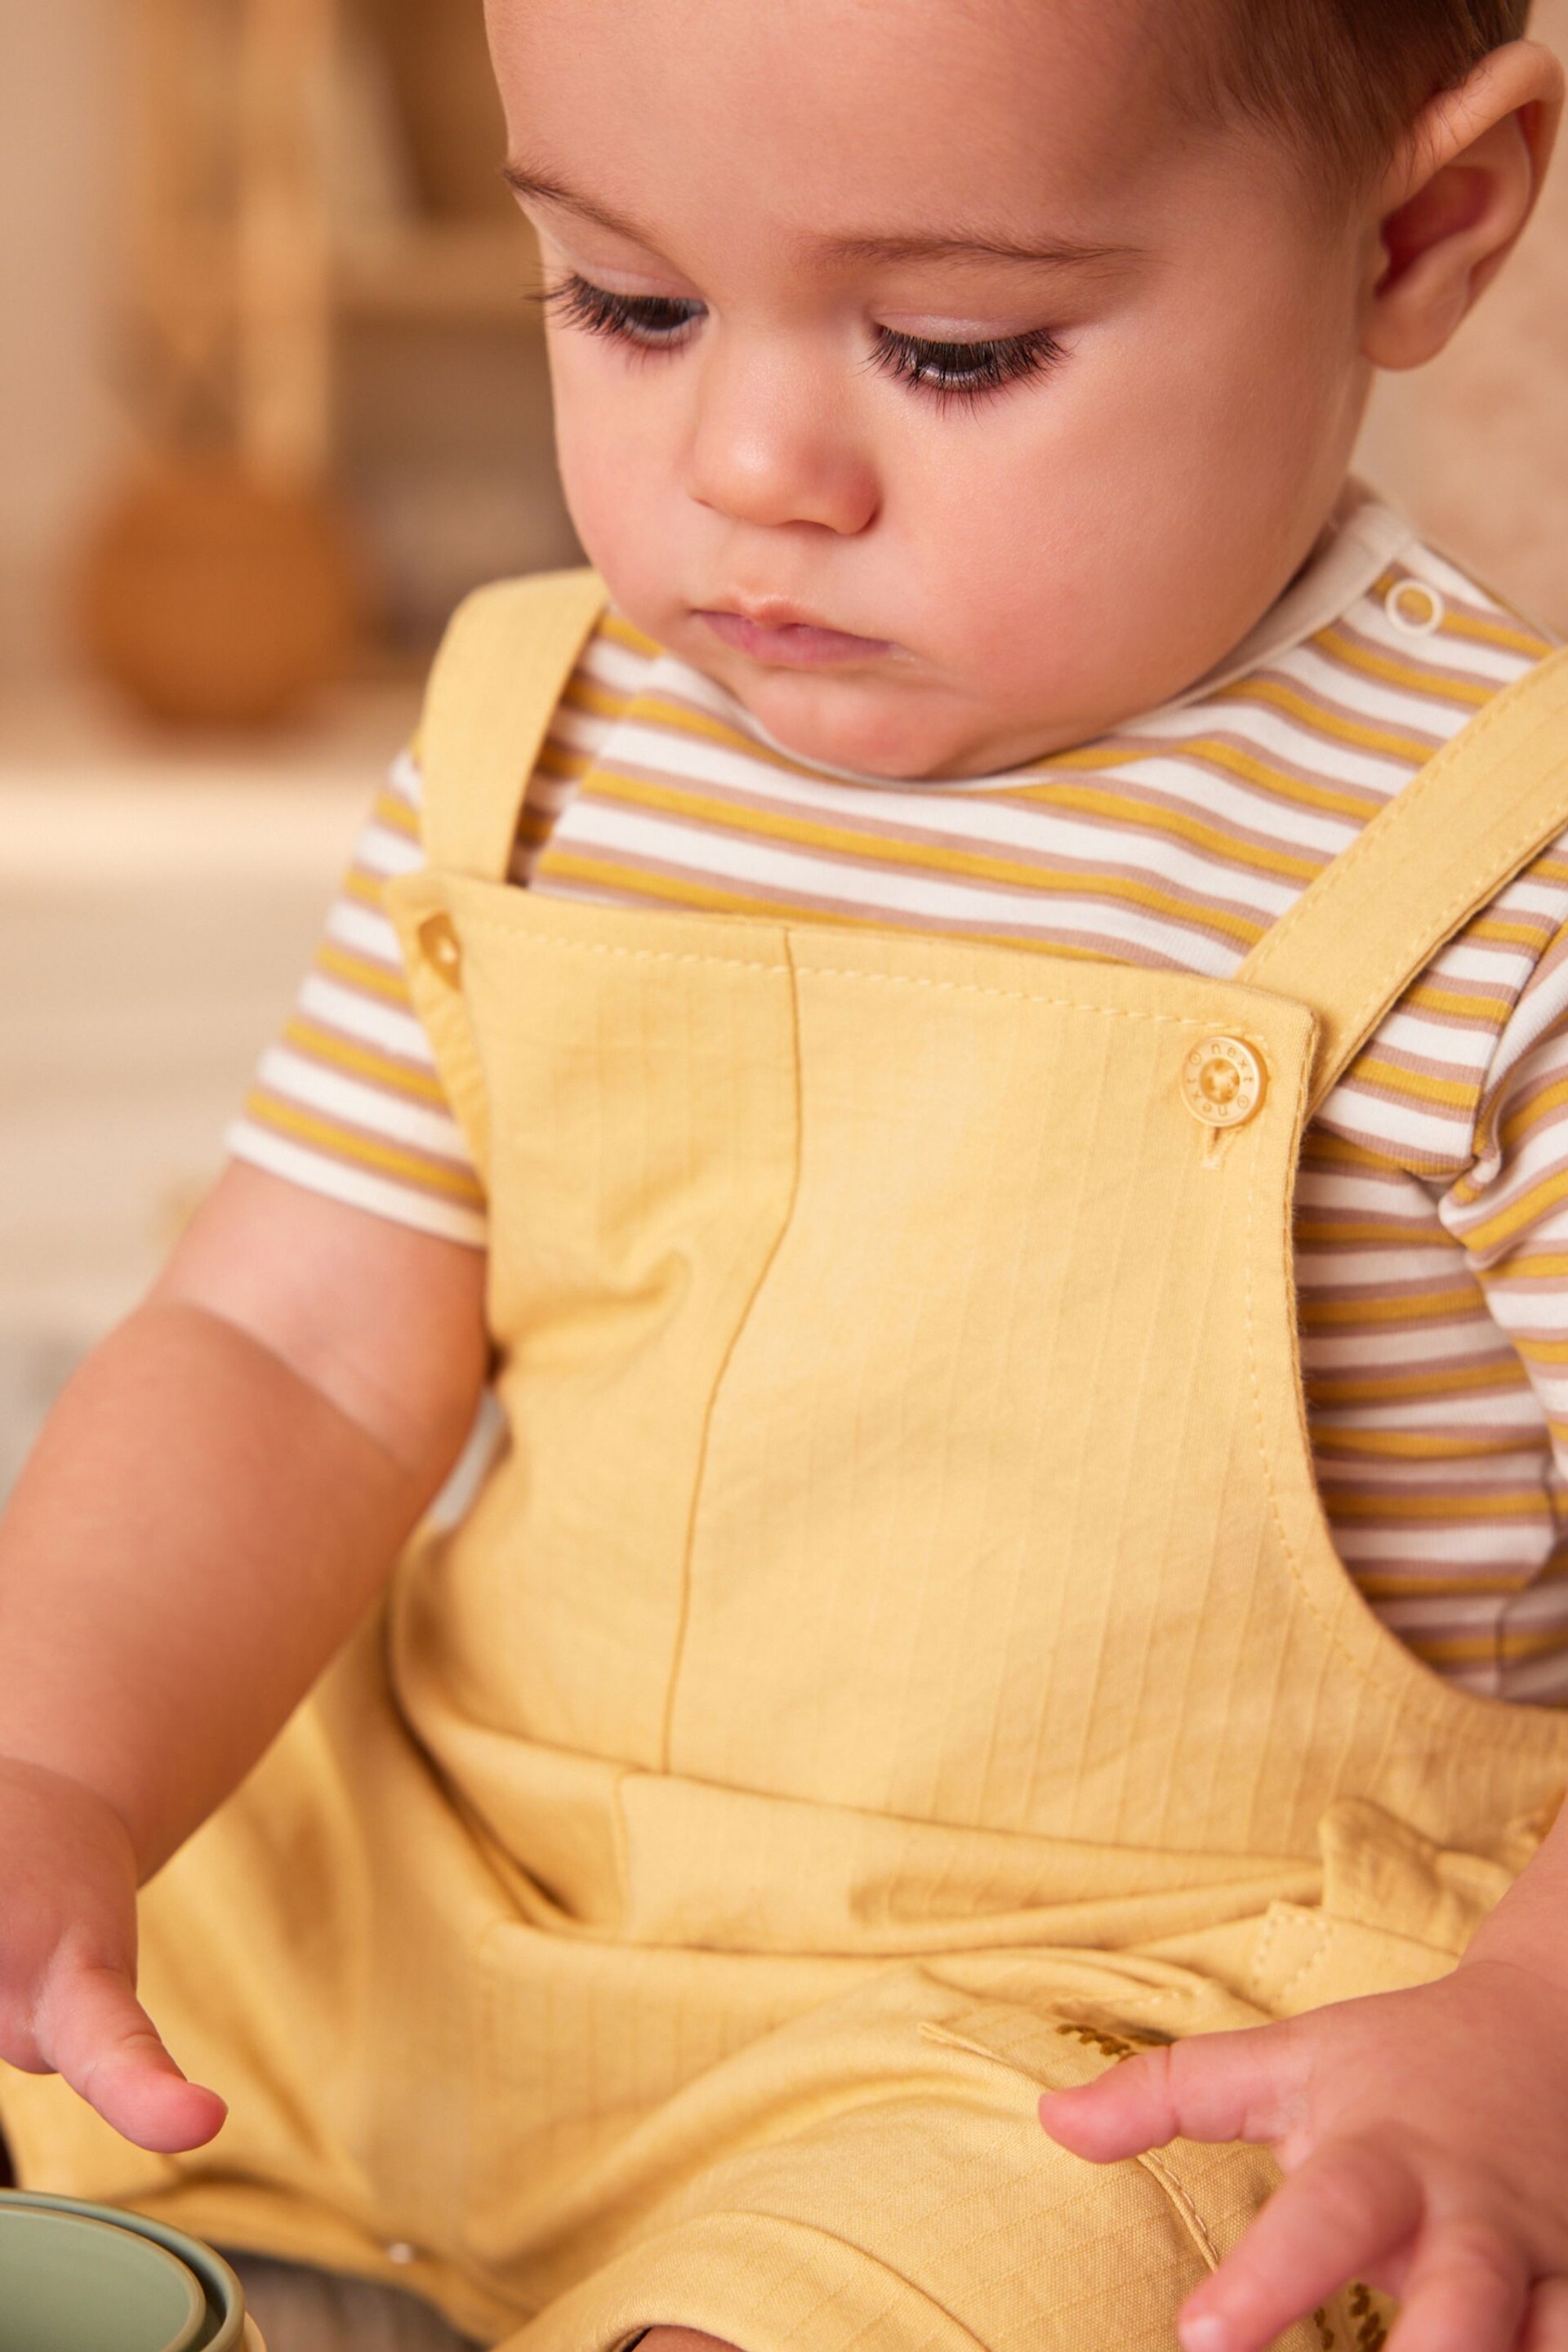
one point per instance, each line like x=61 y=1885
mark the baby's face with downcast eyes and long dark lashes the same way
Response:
x=923 y=373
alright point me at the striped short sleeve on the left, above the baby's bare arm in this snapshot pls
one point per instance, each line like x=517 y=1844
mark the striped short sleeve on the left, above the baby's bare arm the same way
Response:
x=349 y=1100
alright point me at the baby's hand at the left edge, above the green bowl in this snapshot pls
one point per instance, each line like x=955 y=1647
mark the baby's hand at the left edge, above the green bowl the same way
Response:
x=69 y=1963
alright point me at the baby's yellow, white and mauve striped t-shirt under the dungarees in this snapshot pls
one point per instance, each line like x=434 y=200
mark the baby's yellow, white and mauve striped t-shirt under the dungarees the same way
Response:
x=1433 y=1203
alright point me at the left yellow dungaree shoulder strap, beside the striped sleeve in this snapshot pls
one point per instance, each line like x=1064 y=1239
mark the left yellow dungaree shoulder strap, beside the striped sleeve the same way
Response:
x=504 y=667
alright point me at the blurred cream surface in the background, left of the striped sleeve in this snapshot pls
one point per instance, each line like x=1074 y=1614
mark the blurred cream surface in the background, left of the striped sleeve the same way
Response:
x=159 y=904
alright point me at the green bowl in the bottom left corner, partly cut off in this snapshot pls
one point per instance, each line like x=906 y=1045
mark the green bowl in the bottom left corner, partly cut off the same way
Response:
x=79 y=2278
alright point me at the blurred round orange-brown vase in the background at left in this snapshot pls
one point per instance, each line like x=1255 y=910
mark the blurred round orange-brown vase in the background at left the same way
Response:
x=217 y=599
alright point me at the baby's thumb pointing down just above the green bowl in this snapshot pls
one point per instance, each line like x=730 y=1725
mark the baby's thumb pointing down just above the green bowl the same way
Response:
x=102 y=2043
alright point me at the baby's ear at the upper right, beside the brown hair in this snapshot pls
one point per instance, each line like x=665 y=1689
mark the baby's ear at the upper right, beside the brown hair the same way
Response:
x=1456 y=201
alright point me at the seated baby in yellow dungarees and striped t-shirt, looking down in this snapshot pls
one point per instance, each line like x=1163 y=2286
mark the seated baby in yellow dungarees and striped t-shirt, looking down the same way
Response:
x=878 y=1022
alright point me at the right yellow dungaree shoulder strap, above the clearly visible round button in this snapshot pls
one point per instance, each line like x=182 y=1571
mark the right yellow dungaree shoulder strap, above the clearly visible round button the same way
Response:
x=1492 y=801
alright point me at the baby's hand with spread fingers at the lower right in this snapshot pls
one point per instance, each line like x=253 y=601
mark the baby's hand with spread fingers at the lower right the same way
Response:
x=1426 y=2144
